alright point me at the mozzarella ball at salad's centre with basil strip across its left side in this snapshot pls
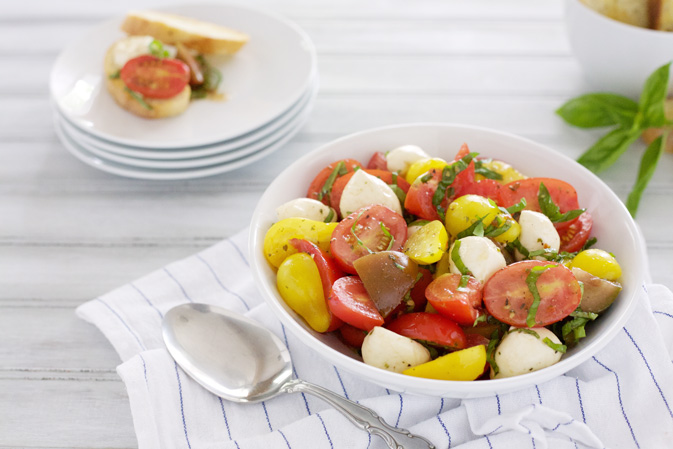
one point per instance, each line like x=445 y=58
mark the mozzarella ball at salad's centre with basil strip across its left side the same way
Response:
x=480 y=256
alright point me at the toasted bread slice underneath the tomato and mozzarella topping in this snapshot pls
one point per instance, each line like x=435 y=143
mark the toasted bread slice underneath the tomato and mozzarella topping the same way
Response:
x=152 y=107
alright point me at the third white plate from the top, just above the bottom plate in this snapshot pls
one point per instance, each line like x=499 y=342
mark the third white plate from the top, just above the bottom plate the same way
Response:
x=289 y=128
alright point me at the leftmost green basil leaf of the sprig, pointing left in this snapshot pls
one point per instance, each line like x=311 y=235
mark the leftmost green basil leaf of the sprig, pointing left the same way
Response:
x=601 y=109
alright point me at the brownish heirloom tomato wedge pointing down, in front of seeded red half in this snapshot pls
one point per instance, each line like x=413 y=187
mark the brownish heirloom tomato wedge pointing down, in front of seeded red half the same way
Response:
x=388 y=276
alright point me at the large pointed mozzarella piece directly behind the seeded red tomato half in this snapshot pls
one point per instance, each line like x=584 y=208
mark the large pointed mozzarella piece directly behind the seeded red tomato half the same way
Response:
x=363 y=190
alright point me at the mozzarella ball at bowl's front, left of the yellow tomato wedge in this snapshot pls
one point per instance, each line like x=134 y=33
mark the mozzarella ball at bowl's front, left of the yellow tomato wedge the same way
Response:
x=393 y=352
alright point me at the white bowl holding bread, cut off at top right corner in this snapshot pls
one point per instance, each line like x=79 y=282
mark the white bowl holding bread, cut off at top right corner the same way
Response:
x=615 y=56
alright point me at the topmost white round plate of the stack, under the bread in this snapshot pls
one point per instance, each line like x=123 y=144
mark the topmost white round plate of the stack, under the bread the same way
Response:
x=264 y=79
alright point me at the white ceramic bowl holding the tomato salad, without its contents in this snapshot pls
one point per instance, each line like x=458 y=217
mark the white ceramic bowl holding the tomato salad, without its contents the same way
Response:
x=613 y=226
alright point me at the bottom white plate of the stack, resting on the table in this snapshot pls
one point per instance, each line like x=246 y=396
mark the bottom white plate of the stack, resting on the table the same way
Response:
x=117 y=168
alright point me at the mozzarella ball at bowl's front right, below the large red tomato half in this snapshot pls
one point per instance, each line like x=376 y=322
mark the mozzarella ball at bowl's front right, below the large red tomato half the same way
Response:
x=519 y=352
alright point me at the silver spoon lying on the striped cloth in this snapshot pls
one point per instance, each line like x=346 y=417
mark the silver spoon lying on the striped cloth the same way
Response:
x=239 y=360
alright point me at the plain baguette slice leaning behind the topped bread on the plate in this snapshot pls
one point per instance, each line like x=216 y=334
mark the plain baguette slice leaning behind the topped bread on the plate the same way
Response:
x=203 y=37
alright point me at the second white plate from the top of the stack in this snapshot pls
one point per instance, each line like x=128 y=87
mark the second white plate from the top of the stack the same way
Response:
x=201 y=157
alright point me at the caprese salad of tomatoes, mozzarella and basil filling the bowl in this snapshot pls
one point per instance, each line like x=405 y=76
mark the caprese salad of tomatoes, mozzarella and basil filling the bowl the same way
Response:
x=458 y=269
